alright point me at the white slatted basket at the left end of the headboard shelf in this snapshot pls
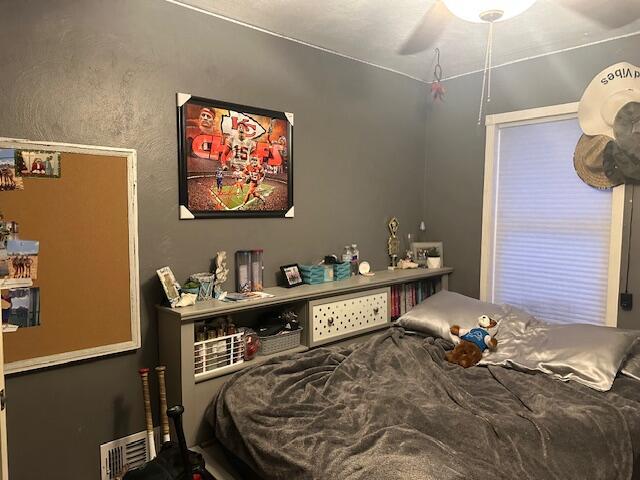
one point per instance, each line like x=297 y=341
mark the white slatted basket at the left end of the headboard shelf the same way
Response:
x=219 y=352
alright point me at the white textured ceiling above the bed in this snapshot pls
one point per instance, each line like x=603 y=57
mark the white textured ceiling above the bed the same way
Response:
x=373 y=30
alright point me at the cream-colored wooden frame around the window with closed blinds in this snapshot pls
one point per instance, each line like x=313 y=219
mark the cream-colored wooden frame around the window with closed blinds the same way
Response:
x=489 y=202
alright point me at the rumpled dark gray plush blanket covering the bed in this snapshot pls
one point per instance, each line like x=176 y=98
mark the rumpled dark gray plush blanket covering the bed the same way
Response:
x=393 y=408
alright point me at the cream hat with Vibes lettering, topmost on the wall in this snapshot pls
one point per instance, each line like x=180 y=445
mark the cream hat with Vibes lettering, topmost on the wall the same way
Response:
x=607 y=93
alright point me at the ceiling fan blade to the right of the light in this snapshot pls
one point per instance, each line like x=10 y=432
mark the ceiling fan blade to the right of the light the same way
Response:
x=609 y=13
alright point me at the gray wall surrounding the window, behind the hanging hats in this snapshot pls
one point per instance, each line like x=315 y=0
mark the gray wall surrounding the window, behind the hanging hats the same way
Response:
x=455 y=149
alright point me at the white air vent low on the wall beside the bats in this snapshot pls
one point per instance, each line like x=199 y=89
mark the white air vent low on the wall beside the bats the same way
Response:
x=123 y=454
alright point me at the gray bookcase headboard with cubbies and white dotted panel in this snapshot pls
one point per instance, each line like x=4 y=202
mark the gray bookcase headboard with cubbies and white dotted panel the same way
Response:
x=328 y=313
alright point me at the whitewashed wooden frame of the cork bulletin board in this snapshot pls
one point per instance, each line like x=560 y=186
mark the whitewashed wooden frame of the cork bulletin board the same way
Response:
x=134 y=284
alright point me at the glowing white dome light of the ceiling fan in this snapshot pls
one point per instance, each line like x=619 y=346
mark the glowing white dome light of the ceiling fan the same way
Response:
x=488 y=11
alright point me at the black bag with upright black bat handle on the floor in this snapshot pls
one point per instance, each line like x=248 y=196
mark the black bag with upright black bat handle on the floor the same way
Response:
x=174 y=461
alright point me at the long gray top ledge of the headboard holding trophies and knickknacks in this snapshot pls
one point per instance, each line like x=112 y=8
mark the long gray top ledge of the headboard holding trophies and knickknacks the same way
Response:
x=282 y=295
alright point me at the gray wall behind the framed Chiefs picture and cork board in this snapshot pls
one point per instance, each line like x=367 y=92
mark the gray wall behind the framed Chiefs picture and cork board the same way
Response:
x=105 y=72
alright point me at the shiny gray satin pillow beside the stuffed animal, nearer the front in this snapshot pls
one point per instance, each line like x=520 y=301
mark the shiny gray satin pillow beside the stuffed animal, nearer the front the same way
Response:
x=588 y=354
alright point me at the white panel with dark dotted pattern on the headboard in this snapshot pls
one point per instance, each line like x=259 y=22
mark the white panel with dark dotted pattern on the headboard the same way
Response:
x=341 y=316
